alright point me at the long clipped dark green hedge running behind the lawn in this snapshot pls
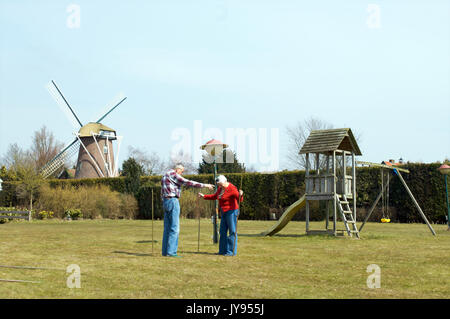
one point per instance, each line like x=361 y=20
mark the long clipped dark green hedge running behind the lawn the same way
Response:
x=273 y=193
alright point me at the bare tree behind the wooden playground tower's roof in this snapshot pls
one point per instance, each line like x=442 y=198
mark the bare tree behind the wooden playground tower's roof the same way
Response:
x=297 y=136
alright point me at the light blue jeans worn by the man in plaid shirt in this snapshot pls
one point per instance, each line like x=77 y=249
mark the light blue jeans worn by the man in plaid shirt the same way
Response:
x=171 y=226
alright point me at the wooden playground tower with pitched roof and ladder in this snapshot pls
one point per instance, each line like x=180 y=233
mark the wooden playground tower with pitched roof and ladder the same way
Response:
x=332 y=177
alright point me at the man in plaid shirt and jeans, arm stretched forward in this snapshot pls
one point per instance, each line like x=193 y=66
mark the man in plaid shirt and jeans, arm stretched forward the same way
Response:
x=170 y=192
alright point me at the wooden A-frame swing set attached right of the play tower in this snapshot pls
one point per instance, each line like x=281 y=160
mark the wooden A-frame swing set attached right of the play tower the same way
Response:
x=386 y=169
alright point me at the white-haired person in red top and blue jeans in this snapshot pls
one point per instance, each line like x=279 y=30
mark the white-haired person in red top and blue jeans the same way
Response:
x=228 y=196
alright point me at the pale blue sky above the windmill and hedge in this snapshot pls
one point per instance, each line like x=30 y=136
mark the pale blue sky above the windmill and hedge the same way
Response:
x=231 y=64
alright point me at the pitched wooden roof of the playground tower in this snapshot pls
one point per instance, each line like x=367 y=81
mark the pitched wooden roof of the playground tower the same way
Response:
x=325 y=141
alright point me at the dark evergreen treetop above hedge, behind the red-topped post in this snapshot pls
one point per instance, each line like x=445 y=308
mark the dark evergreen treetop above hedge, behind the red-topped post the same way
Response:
x=228 y=164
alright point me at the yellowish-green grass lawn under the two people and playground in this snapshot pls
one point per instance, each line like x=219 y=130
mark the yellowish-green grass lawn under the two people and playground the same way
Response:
x=116 y=261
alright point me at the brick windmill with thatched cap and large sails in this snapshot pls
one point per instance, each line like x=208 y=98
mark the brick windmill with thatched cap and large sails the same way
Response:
x=93 y=142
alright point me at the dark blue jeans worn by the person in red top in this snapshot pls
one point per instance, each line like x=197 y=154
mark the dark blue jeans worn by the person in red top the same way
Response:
x=228 y=224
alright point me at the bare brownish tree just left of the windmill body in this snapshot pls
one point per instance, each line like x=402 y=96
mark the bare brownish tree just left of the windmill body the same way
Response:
x=44 y=147
